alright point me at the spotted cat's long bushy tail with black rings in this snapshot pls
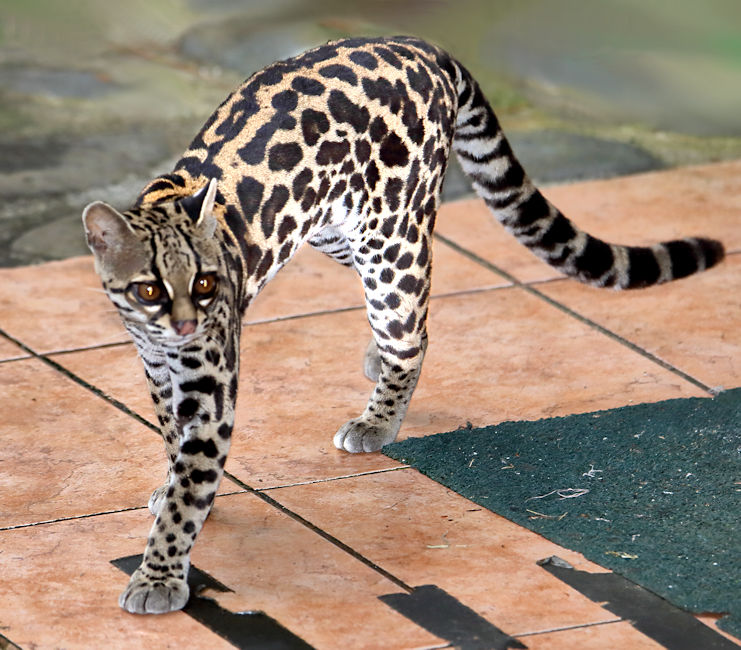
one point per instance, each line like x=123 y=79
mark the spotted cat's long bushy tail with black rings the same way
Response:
x=500 y=180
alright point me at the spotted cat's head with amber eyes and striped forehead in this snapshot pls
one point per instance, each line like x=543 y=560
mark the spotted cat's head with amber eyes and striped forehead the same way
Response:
x=160 y=265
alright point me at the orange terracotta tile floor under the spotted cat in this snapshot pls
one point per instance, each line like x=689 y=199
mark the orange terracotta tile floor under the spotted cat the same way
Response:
x=327 y=533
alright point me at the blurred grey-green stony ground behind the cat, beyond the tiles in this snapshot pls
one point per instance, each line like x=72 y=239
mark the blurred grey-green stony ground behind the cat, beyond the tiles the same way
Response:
x=97 y=96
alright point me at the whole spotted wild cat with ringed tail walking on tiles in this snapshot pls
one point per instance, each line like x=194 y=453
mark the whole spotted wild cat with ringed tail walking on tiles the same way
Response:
x=344 y=147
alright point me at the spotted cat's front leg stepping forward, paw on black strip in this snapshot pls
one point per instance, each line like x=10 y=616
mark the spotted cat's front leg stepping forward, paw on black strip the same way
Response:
x=203 y=411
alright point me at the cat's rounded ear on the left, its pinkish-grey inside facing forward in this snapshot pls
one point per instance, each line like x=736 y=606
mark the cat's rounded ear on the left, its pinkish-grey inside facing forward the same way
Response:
x=109 y=235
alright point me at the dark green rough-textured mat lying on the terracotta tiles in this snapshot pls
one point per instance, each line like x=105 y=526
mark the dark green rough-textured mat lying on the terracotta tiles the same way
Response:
x=664 y=490
